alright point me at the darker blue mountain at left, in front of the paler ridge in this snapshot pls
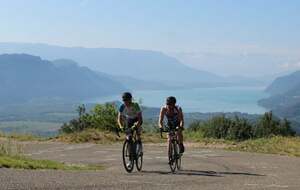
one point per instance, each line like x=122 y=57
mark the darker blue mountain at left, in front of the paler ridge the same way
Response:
x=24 y=77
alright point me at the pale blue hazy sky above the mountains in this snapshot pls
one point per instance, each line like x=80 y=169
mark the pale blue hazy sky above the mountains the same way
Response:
x=227 y=37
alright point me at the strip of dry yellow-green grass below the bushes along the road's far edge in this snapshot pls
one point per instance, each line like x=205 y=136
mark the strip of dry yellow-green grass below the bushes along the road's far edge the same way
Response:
x=275 y=145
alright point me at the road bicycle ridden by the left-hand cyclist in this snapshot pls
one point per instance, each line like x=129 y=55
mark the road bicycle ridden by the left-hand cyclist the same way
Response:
x=132 y=151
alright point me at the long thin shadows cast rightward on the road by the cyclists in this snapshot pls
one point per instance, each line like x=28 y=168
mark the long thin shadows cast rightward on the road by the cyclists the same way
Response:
x=202 y=173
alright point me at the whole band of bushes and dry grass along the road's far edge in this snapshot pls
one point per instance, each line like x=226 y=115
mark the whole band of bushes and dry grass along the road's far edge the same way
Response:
x=268 y=134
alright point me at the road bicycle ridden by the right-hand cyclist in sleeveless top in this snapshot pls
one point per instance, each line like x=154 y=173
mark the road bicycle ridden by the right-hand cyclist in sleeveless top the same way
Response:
x=173 y=148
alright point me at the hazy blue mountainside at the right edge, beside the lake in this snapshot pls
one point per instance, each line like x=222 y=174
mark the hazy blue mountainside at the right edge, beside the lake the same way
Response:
x=285 y=96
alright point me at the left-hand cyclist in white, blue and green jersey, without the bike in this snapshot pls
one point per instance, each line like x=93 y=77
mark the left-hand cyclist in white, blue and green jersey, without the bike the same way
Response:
x=130 y=115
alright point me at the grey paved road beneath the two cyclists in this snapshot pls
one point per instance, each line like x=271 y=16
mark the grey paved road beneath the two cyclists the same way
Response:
x=203 y=169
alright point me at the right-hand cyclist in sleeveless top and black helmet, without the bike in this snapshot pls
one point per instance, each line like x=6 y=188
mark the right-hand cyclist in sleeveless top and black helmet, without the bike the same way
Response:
x=174 y=116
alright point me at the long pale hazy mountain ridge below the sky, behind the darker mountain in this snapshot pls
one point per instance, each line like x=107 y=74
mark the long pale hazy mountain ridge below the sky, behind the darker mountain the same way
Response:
x=139 y=64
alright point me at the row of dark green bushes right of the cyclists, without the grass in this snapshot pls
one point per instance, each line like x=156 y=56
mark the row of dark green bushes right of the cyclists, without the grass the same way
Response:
x=236 y=128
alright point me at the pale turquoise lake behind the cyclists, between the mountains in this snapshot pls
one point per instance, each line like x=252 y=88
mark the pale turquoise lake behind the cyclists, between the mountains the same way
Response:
x=221 y=99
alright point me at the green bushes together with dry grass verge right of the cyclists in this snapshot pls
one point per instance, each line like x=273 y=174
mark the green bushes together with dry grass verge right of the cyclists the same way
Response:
x=268 y=134
